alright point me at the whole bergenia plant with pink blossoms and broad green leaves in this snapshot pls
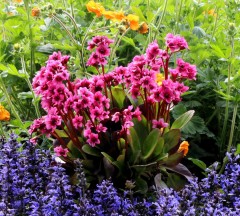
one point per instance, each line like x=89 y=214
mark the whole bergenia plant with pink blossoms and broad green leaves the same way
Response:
x=118 y=122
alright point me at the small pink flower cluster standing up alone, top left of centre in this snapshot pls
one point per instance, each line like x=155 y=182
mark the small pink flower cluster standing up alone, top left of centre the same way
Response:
x=98 y=58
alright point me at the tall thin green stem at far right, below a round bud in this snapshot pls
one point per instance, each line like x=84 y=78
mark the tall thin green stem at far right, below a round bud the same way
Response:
x=223 y=134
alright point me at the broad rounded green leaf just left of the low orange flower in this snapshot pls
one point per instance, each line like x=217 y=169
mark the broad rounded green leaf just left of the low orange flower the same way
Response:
x=171 y=139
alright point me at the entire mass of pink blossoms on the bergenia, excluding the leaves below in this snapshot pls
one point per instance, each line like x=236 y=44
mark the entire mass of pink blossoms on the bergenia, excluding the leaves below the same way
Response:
x=82 y=107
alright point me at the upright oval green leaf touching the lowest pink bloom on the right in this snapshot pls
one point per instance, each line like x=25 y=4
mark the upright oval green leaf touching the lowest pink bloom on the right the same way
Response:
x=150 y=143
